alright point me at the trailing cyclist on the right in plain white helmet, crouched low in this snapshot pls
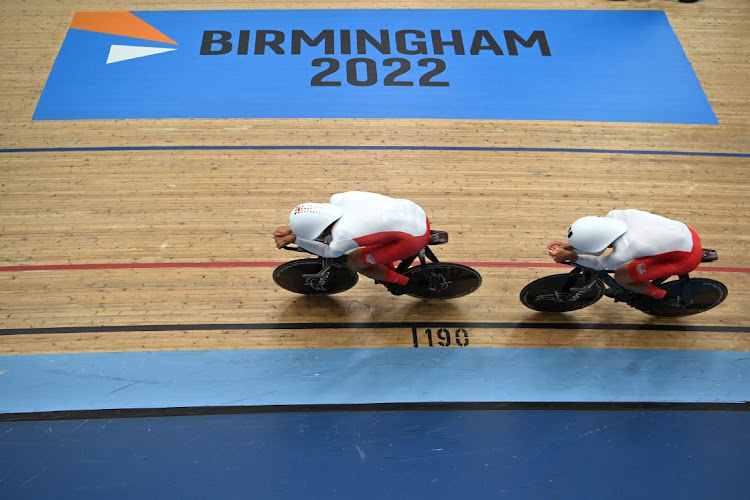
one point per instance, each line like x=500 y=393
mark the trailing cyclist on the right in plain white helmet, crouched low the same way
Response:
x=644 y=246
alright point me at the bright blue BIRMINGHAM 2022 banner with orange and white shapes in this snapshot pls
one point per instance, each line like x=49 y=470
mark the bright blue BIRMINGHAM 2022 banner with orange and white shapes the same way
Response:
x=607 y=66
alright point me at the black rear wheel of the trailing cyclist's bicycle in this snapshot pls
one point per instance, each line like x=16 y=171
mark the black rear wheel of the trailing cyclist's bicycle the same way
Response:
x=695 y=295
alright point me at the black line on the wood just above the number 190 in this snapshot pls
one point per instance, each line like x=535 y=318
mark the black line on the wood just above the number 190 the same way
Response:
x=340 y=326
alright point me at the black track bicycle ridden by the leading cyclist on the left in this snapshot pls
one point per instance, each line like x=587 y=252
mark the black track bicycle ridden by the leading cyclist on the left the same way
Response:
x=428 y=280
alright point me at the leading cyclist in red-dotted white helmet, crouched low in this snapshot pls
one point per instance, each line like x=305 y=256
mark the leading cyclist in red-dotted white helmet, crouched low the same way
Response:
x=380 y=230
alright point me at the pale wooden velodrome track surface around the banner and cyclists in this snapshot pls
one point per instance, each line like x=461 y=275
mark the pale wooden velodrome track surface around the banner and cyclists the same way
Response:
x=100 y=215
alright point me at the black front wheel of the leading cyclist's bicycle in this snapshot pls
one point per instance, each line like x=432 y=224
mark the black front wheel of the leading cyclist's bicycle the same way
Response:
x=290 y=276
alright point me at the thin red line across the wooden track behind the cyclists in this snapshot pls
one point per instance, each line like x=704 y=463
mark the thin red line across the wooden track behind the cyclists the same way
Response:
x=162 y=265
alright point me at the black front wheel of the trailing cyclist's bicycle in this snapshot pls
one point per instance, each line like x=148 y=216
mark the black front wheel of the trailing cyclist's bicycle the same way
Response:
x=553 y=293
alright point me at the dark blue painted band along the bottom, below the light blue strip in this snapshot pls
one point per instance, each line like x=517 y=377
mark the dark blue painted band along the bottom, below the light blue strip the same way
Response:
x=568 y=454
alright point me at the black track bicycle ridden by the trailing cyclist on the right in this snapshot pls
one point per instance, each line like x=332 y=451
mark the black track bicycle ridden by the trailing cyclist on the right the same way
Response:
x=581 y=287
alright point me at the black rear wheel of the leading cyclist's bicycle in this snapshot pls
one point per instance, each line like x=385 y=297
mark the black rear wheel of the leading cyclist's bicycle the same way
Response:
x=442 y=280
